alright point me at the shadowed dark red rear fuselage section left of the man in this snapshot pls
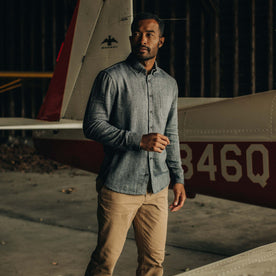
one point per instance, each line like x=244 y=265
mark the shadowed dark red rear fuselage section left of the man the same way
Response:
x=82 y=154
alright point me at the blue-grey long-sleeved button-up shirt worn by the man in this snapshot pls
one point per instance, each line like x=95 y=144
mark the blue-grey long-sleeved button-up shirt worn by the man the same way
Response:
x=126 y=103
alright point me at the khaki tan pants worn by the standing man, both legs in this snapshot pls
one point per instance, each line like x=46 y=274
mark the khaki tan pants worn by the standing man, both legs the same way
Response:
x=116 y=212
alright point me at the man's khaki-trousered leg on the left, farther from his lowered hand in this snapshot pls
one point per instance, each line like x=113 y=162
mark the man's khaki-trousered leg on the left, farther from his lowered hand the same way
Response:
x=115 y=215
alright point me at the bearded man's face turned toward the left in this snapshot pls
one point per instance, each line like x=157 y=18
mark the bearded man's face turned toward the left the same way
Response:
x=145 y=40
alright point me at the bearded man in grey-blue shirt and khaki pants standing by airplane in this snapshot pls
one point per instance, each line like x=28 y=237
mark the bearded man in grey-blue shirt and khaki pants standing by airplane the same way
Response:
x=132 y=111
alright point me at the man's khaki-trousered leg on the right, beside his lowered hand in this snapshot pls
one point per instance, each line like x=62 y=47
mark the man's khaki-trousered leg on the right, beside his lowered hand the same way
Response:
x=150 y=225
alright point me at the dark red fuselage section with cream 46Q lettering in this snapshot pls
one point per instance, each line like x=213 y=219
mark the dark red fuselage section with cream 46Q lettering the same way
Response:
x=251 y=164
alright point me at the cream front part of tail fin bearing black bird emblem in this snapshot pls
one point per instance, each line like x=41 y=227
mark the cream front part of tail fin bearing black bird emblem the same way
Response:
x=108 y=44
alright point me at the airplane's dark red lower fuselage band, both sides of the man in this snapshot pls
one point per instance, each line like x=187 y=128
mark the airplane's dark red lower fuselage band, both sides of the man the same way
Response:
x=251 y=164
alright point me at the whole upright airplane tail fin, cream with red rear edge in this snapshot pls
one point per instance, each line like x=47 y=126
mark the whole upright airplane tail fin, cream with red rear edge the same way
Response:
x=97 y=37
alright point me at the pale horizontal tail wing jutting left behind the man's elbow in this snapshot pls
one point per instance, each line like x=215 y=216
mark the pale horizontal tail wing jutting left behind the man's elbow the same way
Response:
x=31 y=124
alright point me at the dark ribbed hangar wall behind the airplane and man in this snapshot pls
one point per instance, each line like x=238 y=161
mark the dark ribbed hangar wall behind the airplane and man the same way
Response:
x=213 y=48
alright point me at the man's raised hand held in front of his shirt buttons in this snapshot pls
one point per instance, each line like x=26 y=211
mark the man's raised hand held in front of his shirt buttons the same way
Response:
x=154 y=142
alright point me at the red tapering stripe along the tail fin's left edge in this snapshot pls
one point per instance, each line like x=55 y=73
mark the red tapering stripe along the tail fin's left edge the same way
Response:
x=51 y=107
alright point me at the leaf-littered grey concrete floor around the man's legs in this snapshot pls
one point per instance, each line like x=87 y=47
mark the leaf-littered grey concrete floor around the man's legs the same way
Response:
x=48 y=227
